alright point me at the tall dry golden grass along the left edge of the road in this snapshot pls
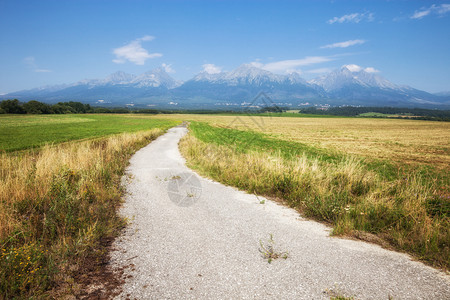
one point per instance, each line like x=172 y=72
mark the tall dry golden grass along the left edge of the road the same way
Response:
x=55 y=205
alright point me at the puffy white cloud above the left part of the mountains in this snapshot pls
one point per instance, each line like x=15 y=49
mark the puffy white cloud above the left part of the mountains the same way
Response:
x=134 y=52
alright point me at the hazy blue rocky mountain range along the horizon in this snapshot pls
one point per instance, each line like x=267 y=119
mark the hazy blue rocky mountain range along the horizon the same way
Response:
x=349 y=85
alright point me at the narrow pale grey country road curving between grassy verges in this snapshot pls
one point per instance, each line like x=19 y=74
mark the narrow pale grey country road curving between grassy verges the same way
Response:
x=192 y=238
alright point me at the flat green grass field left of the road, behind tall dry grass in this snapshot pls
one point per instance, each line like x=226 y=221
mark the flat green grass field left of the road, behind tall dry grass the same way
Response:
x=20 y=132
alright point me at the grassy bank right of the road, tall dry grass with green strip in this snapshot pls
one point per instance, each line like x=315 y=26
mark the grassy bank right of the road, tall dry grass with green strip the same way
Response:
x=408 y=210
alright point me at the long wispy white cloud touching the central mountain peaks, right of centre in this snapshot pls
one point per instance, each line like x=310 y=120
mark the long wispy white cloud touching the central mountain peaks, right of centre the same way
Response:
x=292 y=65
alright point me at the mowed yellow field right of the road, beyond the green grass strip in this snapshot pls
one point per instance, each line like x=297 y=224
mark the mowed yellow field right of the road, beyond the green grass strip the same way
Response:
x=401 y=141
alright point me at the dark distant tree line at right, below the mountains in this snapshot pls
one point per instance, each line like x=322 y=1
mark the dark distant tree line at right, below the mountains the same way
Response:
x=402 y=112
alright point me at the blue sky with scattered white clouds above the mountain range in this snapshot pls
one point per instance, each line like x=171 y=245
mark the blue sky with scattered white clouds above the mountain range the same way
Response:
x=62 y=41
